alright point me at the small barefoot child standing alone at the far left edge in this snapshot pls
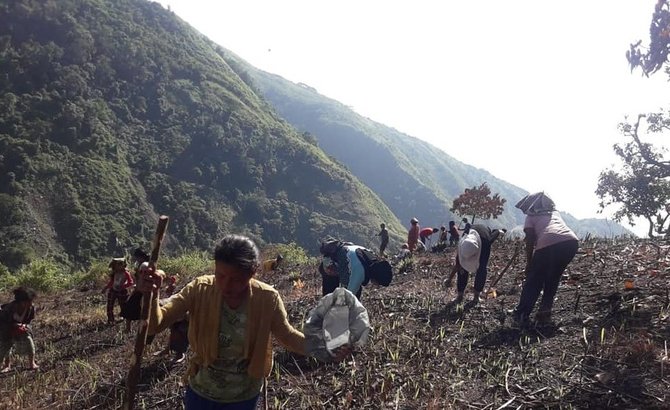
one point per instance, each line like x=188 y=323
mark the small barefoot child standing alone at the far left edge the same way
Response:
x=15 y=318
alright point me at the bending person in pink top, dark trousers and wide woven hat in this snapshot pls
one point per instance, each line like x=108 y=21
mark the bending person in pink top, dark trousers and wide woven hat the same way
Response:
x=550 y=247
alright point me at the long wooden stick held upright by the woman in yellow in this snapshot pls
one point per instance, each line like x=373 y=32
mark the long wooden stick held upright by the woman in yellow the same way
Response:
x=136 y=362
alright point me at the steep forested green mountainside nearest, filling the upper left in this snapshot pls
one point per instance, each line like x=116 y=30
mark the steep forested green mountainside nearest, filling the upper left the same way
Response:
x=113 y=112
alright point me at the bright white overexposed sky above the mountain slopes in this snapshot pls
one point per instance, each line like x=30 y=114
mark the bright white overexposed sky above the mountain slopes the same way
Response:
x=532 y=91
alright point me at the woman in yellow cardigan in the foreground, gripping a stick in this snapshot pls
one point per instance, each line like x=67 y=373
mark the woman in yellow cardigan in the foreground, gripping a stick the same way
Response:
x=232 y=316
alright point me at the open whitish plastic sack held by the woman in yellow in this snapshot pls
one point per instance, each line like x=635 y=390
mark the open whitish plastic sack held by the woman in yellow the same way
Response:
x=339 y=319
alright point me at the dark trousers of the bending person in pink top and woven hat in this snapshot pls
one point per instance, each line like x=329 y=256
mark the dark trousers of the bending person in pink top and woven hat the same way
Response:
x=544 y=274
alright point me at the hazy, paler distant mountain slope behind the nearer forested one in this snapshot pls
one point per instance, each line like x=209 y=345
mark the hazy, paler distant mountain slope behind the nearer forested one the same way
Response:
x=411 y=176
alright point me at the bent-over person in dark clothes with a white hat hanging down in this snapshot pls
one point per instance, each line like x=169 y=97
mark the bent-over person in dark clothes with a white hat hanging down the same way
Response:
x=474 y=250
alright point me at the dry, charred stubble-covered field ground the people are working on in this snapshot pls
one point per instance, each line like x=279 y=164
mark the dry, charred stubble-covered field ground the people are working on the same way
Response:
x=607 y=349
